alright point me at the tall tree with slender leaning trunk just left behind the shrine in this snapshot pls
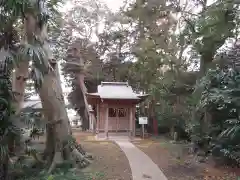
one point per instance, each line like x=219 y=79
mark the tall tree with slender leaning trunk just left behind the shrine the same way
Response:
x=81 y=24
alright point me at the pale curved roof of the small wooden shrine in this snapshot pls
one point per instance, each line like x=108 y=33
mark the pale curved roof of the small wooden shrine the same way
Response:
x=116 y=90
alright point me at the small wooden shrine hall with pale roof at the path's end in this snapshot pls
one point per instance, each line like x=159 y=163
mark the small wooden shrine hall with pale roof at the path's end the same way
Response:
x=115 y=104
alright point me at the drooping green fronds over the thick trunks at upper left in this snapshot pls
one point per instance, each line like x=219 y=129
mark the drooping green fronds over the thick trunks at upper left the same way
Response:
x=14 y=11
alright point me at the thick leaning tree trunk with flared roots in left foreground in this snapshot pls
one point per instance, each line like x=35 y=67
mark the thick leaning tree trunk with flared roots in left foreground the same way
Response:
x=60 y=146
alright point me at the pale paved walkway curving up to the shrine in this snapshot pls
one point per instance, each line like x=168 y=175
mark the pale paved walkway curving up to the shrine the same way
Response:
x=143 y=168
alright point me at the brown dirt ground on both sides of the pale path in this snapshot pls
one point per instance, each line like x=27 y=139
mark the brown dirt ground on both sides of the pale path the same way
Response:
x=110 y=163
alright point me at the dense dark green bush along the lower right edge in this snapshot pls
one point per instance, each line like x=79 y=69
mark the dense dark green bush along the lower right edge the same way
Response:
x=220 y=98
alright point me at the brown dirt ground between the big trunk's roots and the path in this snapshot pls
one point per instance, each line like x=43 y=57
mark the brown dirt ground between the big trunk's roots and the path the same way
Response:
x=110 y=163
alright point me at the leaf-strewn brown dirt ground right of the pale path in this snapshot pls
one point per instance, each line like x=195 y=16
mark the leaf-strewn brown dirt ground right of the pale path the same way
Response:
x=177 y=164
